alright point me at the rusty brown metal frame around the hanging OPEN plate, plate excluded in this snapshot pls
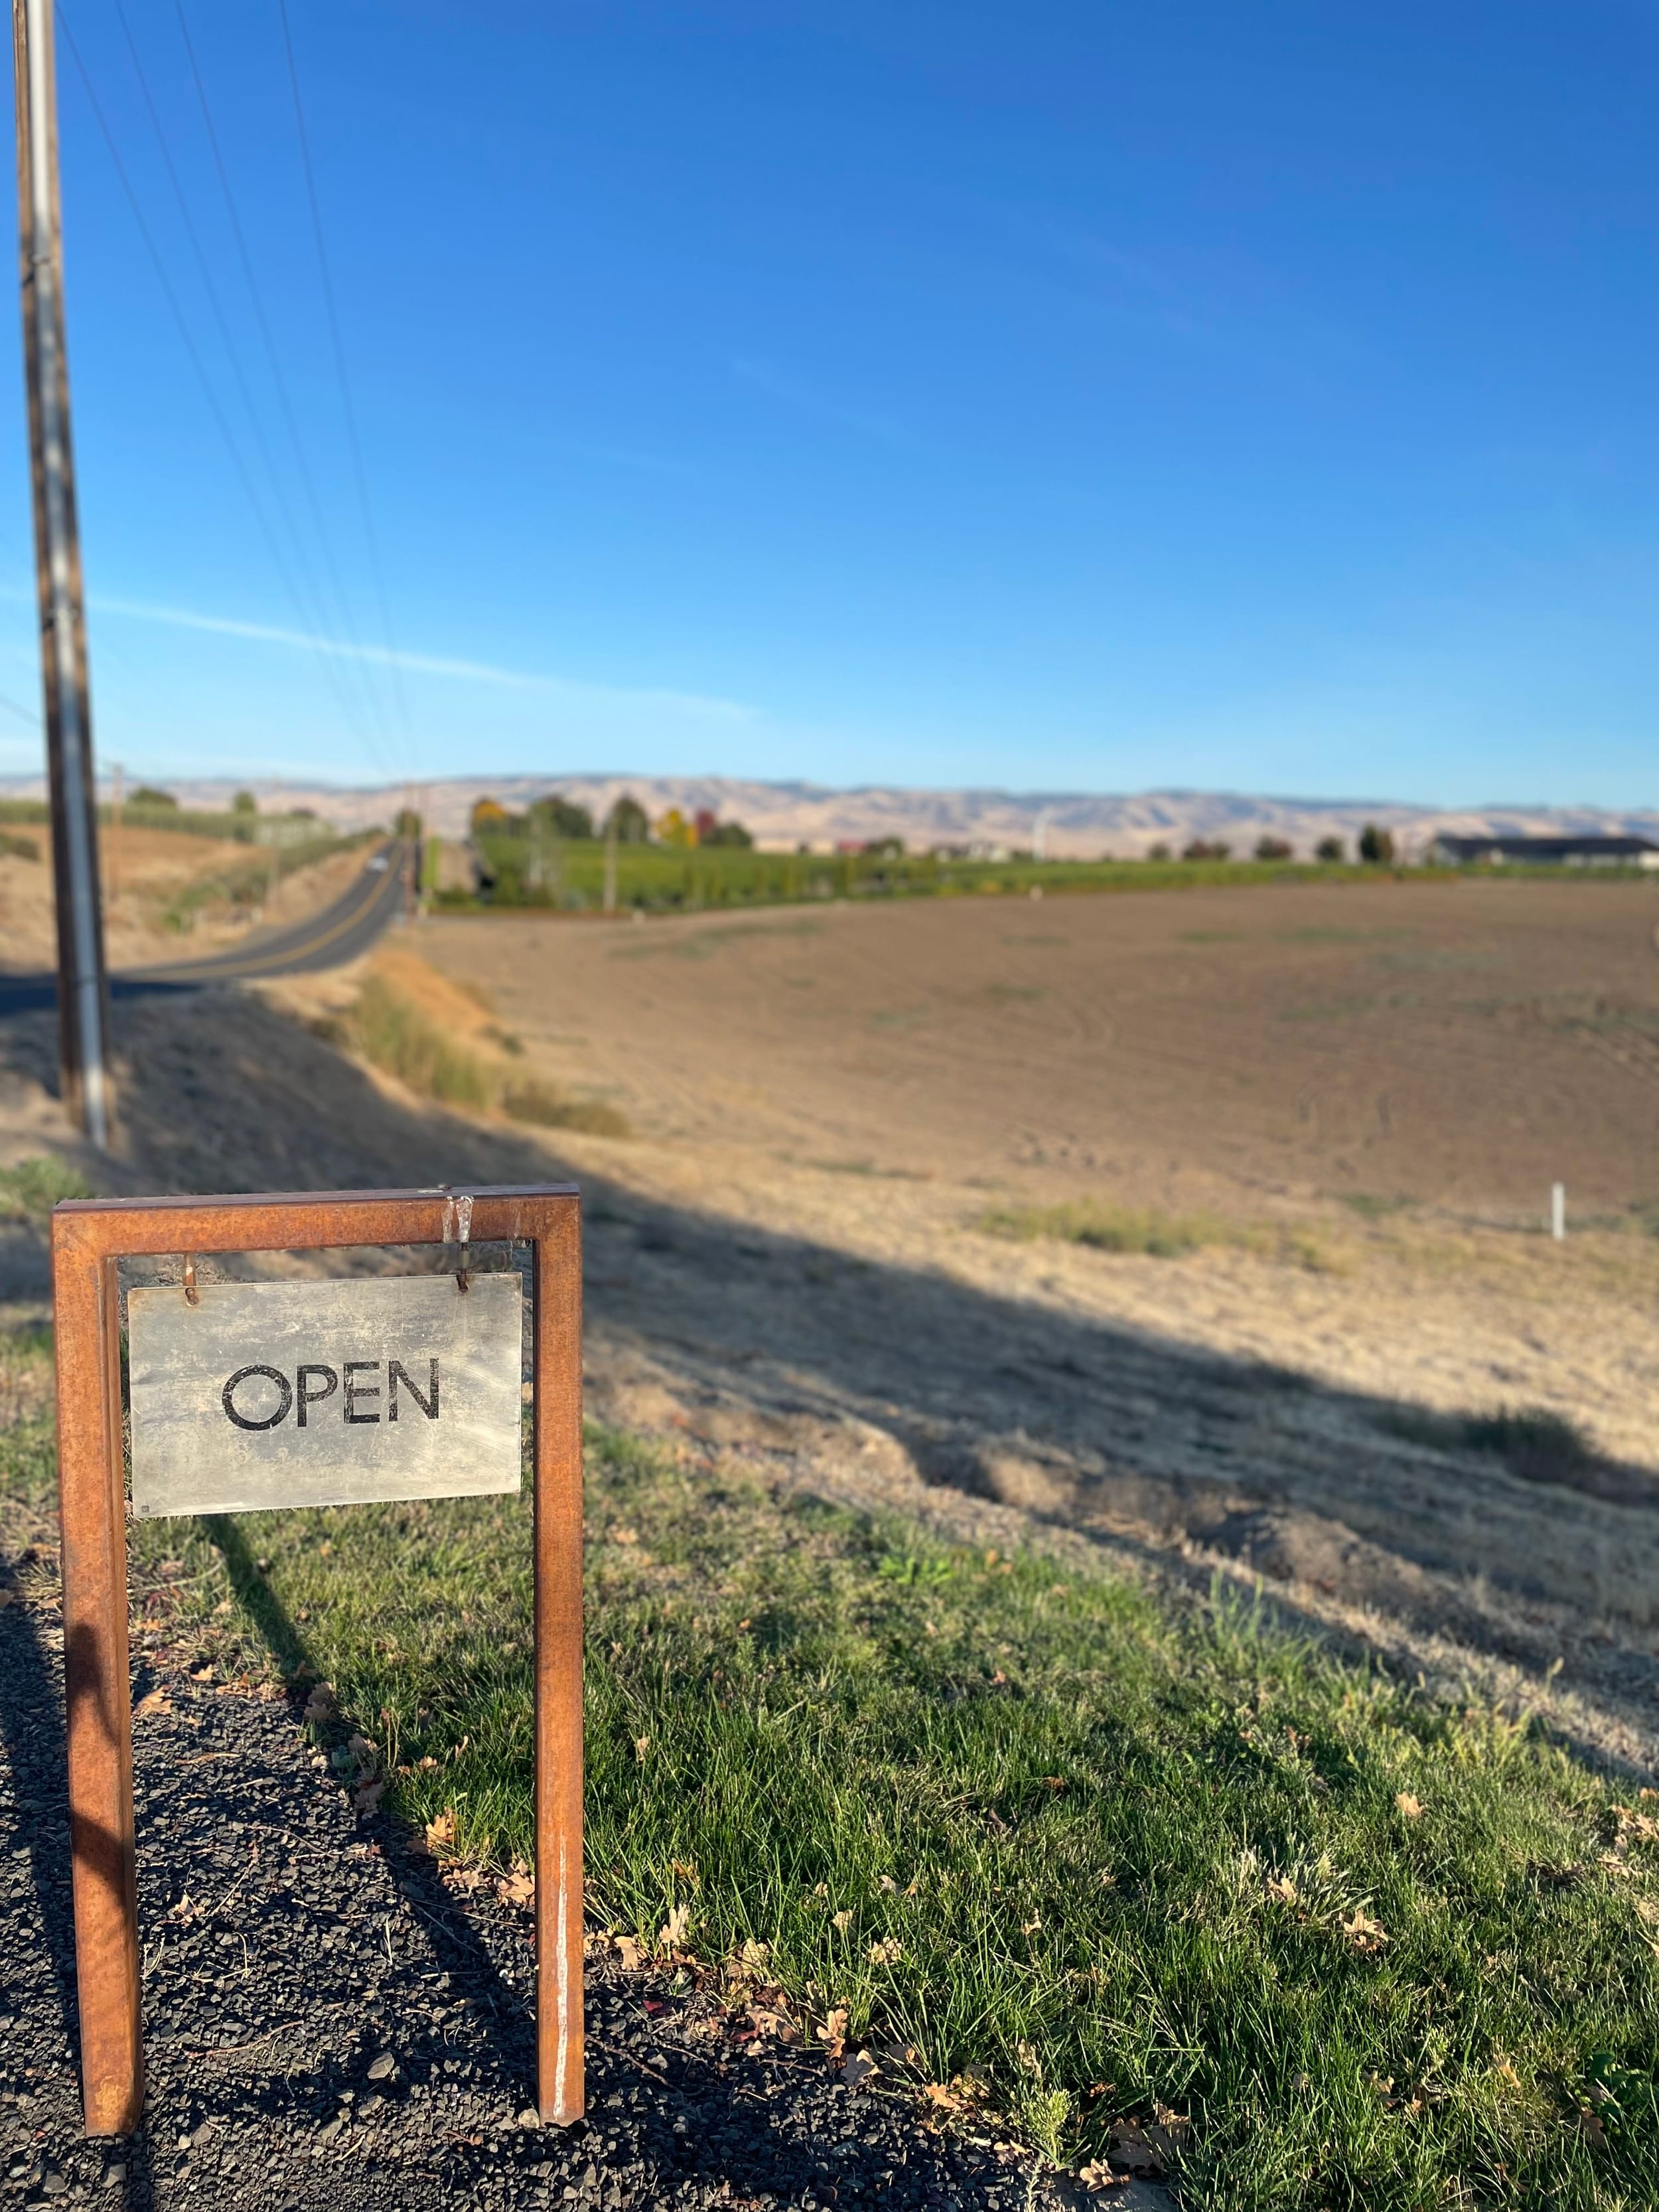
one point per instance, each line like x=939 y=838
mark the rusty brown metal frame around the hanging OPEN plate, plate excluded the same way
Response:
x=90 y=1238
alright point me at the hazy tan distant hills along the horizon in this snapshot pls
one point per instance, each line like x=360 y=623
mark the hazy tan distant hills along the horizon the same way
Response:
x=1070 y=824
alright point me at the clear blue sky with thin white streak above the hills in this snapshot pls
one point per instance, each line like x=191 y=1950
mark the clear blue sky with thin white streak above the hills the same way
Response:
x=1067 y=395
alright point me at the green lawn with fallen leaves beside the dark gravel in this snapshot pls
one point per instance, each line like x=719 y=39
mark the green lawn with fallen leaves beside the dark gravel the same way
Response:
x=1100 y=1848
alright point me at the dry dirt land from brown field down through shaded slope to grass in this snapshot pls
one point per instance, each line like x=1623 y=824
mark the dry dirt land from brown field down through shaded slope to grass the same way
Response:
x=1368 y=1092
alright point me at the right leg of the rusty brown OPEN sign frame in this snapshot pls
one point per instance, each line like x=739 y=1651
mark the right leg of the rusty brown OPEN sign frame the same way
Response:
x=559 y=1671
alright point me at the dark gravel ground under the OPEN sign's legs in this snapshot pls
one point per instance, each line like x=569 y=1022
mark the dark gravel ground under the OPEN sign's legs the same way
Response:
x=328 y=2025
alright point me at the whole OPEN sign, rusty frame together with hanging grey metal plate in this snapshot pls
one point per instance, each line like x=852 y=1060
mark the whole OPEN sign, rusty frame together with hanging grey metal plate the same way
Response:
x=446 y=1401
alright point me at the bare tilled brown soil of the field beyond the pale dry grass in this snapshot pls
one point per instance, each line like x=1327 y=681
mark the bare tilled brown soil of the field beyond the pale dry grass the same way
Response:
x=1465 y=1045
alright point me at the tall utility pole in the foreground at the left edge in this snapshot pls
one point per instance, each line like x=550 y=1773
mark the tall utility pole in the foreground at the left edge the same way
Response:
x=83 y=997
